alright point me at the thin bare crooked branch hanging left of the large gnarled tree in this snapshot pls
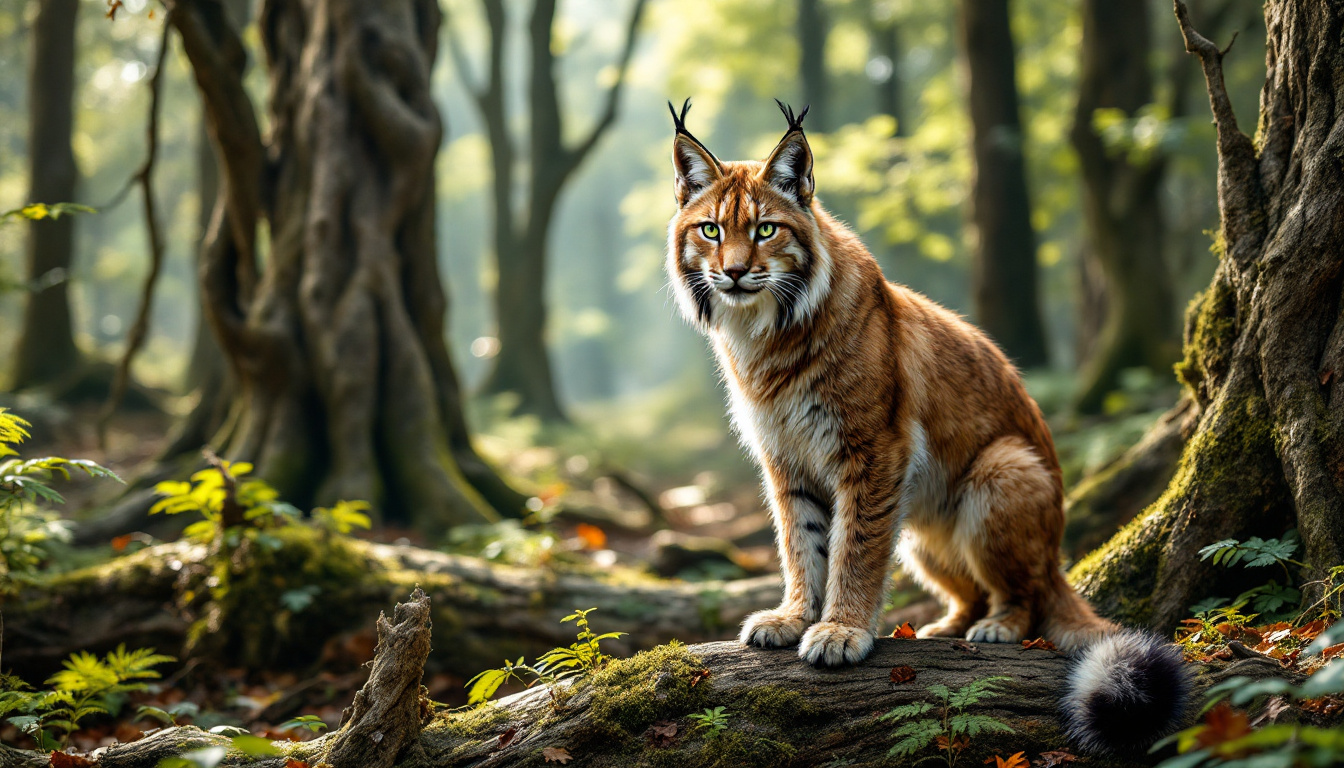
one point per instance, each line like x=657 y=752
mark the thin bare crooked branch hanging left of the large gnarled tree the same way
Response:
x=146 y=180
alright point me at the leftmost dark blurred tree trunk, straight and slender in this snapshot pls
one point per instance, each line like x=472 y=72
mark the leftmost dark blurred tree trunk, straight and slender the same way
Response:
x=46 y=349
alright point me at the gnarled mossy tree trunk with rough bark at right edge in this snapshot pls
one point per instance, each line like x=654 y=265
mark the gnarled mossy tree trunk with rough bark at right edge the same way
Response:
x=1264 y=344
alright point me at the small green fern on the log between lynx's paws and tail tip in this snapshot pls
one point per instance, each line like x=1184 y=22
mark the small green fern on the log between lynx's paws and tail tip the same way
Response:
x=954 y=730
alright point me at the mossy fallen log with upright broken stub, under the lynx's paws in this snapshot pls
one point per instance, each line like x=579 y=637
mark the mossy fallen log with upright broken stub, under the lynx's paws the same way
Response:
x=776 y=711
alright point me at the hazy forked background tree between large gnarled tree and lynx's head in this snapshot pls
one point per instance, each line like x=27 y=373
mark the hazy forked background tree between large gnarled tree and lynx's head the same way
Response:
x=523 y=364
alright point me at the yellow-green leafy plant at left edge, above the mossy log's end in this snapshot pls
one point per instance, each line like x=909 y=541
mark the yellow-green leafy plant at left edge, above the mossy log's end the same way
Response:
x=28 y=528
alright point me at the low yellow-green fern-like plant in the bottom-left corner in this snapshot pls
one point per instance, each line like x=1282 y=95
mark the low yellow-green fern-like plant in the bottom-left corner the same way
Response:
x=87 y=687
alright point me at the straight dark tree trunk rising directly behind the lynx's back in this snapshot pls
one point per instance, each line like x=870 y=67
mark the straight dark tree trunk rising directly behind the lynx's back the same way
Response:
x=1005 y=271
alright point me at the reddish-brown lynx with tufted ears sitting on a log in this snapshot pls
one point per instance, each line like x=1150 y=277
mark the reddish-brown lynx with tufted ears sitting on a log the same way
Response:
x=884 y=422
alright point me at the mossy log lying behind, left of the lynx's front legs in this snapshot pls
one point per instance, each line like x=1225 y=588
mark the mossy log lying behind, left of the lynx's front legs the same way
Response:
x=483 y=611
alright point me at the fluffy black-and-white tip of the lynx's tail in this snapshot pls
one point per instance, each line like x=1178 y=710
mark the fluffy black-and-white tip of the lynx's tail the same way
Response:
x=1127 y=692
